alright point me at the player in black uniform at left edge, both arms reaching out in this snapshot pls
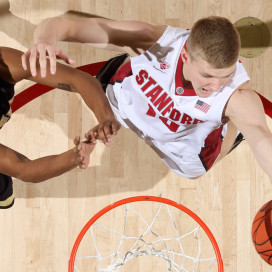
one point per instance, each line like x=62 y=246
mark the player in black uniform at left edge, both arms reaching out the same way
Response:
x=14 y=164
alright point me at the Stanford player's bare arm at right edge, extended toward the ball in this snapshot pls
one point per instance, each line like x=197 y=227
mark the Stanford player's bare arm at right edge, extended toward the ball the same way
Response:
x=250 y=120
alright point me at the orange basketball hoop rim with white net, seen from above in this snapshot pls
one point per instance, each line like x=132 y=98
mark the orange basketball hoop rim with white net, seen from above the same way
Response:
x=162 y=228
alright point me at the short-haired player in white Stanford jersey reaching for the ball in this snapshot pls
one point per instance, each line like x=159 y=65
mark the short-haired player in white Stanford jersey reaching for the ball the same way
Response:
x=184 y=92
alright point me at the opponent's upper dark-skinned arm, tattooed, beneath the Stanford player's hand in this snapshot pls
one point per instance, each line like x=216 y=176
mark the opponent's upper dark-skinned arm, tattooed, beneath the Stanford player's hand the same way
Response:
x=73 y=80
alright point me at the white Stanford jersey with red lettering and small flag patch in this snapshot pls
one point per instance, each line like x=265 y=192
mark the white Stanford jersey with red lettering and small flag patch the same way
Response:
x=148 y=96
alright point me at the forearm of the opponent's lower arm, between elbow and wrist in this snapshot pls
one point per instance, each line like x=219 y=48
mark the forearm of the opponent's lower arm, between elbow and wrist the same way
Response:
x=48 y=167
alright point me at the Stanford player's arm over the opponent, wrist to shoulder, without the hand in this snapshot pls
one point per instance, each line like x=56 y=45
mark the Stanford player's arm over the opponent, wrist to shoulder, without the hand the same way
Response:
x=99 y=33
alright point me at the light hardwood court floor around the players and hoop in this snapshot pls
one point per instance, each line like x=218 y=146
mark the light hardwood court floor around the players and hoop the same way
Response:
x=38 y=233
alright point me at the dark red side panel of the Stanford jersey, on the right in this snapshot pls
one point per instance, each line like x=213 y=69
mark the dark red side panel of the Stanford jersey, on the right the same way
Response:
x=212 y=148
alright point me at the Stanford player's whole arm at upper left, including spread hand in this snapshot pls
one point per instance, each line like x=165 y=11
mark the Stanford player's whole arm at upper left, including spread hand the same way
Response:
x=127 y=36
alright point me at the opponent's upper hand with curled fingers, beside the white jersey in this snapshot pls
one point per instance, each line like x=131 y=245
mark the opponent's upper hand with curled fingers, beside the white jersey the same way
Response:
x=103 y=131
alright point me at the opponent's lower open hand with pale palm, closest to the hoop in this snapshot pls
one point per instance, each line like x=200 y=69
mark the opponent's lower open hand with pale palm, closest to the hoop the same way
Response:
x=83 y=151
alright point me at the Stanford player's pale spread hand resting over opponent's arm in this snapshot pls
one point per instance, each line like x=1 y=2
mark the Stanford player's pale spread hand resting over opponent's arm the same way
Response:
x=39 y=52
